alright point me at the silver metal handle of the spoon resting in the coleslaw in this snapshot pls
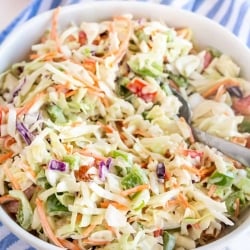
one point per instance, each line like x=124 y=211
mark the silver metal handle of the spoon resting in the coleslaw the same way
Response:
x=228 y=148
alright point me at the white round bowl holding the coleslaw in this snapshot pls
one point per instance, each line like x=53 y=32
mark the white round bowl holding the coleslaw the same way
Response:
x=206 y=33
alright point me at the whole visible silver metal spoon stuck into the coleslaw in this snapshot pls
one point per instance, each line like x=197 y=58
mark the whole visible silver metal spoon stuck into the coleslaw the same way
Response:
x=235 y=151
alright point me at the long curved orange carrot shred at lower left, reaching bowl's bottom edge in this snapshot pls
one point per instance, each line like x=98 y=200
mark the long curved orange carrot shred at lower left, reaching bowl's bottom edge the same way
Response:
x=45 y=223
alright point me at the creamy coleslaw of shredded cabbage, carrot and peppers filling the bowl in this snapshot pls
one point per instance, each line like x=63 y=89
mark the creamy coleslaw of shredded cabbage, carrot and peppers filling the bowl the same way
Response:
x=93 y=152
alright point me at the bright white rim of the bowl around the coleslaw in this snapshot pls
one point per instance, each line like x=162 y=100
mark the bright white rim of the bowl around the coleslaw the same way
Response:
x=46 y=16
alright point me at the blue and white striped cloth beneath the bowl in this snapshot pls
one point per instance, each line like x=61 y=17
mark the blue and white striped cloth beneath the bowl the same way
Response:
x=232 y=14
